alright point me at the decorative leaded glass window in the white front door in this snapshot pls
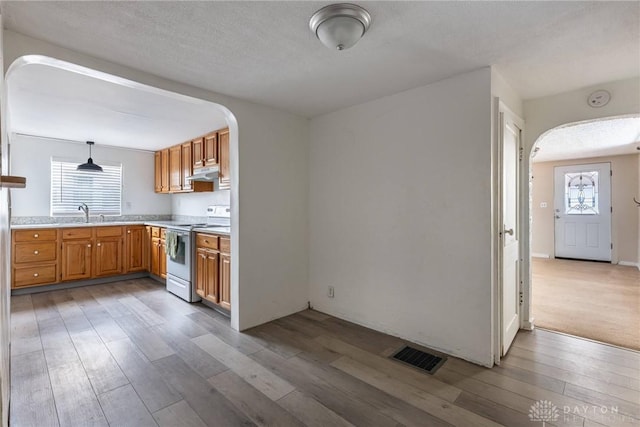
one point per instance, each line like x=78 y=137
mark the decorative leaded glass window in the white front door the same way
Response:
x=581 y=193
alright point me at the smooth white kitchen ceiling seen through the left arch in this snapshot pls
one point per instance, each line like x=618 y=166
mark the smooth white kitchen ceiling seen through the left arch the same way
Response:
x=55 y=103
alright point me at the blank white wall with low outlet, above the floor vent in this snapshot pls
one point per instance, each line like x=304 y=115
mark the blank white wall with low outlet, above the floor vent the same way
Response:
x=400 y=215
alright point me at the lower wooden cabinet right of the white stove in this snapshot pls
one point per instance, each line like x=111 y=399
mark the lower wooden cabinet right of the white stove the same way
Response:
x=213 y=269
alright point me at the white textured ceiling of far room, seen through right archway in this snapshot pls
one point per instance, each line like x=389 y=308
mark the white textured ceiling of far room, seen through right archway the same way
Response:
x=609 y=137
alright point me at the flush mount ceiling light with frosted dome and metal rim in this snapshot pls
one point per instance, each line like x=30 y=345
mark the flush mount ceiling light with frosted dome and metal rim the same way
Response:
x=340 y=26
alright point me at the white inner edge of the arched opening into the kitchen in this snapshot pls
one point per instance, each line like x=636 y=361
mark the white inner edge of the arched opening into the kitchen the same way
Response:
x=31 y=60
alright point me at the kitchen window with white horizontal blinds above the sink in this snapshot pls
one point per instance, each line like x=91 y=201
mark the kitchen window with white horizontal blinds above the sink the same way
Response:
x=101 y=191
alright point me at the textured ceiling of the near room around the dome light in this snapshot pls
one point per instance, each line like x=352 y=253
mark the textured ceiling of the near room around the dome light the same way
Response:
x=264 y=51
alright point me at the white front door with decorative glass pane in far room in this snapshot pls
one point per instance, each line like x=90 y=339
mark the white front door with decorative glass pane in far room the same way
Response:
x=582 y=205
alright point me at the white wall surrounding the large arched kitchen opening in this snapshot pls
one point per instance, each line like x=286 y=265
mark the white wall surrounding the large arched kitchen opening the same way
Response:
x=269 y=158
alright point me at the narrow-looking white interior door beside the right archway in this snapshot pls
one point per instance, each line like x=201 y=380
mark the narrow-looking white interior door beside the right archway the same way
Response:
x=510 y=278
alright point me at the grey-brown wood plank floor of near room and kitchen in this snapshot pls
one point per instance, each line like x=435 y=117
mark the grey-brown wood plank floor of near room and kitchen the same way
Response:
x=131 y=354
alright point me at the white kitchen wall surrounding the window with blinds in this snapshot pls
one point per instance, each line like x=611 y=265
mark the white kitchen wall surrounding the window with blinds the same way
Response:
x=31 y=158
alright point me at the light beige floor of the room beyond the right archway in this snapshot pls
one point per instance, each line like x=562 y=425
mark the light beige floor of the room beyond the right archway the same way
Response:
x=588 y=299
